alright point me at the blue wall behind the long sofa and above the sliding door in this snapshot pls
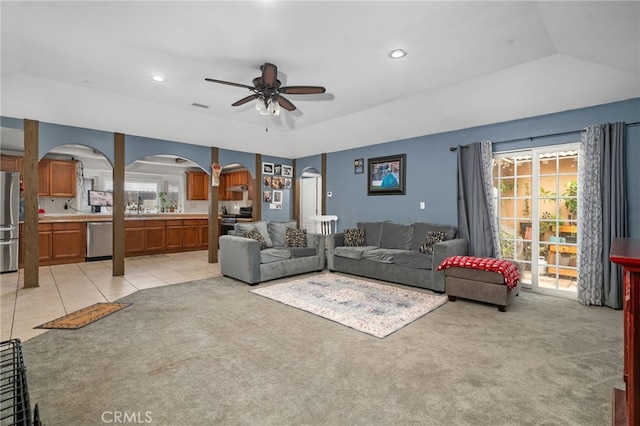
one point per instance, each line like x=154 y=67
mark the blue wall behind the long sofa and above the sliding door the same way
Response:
x=431 y=166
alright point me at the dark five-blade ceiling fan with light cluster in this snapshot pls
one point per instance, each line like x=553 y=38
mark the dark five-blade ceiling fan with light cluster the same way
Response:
x=268 y=92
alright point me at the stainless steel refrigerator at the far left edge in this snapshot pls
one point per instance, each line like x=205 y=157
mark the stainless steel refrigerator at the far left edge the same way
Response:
x=9 y=220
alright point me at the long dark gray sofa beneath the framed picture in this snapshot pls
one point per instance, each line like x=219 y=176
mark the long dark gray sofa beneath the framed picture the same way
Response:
x=391 y=252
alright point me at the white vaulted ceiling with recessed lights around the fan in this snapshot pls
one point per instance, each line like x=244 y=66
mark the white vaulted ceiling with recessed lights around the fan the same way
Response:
x=89 y=64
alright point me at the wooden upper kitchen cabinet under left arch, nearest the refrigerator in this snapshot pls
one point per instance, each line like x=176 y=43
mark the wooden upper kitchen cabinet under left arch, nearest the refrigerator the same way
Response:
x=57 y=178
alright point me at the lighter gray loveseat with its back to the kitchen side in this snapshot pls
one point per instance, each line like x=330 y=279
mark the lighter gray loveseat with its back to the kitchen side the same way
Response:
x=242 y=258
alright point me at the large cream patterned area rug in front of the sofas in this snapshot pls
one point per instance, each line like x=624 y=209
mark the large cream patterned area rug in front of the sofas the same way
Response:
x=371 y=308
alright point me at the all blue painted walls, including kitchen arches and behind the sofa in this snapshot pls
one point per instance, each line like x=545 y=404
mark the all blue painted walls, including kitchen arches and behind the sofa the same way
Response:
x=431 y=166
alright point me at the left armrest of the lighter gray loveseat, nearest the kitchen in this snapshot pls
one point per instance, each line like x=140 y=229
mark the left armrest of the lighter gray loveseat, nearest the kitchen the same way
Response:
x=240 y=258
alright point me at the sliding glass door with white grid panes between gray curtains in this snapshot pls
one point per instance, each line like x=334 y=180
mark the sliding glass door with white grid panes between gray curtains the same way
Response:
x=536 y=199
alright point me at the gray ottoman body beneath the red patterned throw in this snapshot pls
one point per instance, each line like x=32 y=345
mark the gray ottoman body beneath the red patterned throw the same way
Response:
x=482 y=286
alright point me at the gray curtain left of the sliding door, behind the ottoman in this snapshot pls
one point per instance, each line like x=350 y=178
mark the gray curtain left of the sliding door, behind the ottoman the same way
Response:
x=477 y=220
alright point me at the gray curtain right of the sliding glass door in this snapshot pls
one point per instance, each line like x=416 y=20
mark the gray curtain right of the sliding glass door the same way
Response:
x=602 y=213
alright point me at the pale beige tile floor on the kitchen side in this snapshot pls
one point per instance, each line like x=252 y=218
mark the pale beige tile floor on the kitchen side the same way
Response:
x=66 y=288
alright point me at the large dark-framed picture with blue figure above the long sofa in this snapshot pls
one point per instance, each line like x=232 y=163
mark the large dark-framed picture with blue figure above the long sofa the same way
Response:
x=387 y=175
